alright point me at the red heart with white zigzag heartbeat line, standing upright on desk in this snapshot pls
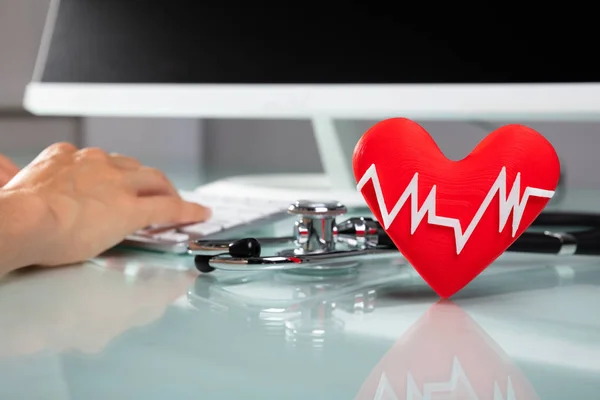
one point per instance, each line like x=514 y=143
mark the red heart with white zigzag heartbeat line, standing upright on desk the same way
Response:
x=451 y=219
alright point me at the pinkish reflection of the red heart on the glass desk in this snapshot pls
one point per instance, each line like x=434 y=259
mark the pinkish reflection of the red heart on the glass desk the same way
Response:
x=446 y=355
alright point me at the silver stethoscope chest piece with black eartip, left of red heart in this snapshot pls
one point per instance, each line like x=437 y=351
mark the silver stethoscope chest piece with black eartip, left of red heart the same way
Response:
x=318 y=243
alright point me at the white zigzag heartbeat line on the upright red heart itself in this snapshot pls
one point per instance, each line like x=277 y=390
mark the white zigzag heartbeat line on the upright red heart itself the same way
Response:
x=507 y=205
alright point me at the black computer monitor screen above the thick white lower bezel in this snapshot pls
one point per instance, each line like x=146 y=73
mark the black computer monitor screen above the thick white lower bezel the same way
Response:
x=179 y=41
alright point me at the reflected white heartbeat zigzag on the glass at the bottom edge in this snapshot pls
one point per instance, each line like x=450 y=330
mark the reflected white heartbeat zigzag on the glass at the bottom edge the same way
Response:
x=457 y=375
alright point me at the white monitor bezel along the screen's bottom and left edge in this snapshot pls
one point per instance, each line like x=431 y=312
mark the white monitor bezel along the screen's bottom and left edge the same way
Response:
x=564 y=101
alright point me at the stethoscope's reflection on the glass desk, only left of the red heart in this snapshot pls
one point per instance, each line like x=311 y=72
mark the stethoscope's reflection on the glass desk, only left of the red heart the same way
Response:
x=301 y=309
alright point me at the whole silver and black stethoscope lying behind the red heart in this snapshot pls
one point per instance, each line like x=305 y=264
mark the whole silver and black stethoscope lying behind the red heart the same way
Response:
x=320 y=243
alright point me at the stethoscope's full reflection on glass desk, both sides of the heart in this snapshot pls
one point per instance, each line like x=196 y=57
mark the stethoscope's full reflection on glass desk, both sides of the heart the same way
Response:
x=310 y=310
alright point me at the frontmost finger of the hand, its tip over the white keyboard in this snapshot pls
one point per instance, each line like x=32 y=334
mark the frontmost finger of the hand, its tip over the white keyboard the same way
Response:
x=160 y=210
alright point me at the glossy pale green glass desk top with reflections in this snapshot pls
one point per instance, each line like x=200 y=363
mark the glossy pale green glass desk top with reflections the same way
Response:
x=138 y=325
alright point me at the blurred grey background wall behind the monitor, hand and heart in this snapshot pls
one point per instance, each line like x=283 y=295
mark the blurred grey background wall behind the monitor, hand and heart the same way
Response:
x=193 y=151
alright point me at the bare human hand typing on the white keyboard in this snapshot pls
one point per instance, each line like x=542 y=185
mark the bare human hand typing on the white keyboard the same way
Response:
x=87 y=201
